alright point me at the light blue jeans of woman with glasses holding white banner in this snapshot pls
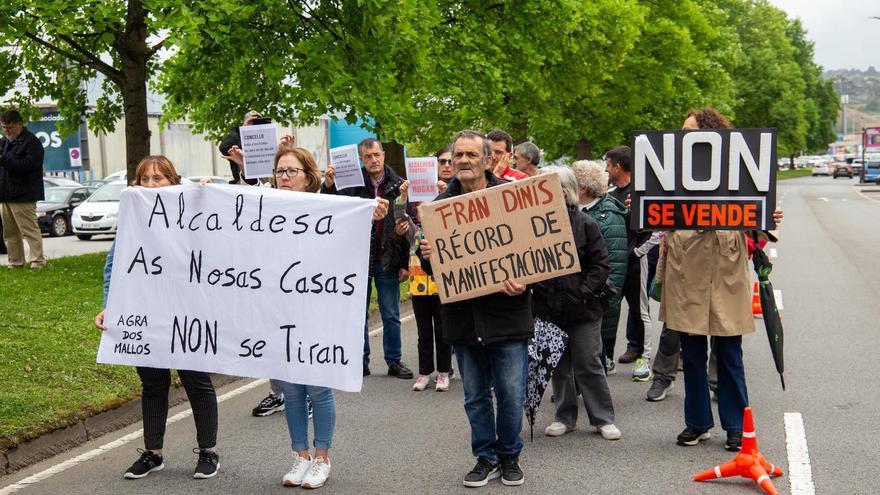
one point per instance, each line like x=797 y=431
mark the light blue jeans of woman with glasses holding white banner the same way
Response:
x=297 y=412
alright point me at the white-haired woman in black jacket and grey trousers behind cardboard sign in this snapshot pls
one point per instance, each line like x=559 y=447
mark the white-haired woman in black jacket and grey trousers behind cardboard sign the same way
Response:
x=574 y=302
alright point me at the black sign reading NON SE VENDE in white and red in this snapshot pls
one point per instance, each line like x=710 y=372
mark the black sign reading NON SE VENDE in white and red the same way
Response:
x=708 y=179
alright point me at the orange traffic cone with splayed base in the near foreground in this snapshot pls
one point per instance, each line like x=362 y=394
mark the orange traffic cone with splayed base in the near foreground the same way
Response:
x=749 y=463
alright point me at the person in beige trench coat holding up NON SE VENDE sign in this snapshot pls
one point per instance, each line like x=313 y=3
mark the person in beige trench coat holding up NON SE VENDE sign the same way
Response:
x=706 y=293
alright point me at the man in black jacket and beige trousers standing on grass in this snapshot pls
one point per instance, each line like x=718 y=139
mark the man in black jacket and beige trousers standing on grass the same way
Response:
x=21 y=186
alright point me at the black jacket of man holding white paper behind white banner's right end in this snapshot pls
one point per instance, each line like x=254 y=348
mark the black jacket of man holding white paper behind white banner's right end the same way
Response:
x=394 y=252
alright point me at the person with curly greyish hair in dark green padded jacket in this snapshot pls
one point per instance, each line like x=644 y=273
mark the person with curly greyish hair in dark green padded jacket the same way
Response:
x=610 y=214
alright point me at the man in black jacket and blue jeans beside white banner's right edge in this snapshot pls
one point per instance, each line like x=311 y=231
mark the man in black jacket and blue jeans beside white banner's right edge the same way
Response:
x=388 y=262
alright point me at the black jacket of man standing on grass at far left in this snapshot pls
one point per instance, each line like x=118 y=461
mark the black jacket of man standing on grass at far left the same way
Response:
x=21 y=169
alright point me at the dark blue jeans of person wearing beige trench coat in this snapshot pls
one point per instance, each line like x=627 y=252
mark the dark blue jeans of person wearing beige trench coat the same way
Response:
x=733 y=396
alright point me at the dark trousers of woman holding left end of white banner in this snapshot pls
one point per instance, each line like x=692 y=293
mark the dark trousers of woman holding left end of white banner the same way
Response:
x=154 y=405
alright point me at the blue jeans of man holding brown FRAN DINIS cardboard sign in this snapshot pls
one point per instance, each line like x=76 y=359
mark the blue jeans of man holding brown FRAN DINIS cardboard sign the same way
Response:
x=504 y=365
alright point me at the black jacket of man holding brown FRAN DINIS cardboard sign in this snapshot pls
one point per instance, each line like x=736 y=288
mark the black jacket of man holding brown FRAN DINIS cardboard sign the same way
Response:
x=485 y=319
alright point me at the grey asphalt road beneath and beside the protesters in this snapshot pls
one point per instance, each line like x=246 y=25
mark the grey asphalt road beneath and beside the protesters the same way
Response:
x=390 y=439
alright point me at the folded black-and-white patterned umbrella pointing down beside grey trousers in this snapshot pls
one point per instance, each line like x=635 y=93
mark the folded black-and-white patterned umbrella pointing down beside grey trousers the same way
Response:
x=545 y=351
